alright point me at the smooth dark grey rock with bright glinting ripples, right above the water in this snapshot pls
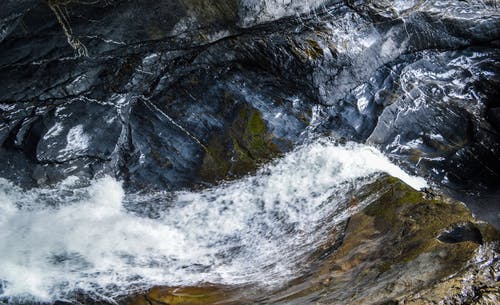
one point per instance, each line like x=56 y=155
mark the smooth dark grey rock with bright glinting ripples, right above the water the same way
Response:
x=434 y=121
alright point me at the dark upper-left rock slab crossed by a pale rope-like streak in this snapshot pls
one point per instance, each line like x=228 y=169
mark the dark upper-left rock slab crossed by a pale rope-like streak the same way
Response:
x=101 y=26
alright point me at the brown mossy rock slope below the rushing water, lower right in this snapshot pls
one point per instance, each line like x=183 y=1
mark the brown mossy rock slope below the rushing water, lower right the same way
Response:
x=399 y=246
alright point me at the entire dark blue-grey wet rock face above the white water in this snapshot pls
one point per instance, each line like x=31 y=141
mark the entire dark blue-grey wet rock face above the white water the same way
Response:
x=156 y=95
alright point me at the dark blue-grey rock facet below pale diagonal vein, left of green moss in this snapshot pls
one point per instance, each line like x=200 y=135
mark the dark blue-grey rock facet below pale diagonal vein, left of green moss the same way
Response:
x=169 y=158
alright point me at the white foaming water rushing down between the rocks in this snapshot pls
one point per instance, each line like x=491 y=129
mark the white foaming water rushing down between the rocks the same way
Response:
x=98 y=239
